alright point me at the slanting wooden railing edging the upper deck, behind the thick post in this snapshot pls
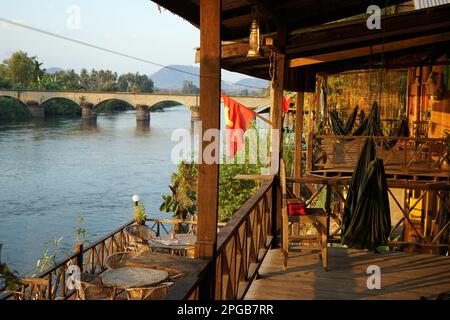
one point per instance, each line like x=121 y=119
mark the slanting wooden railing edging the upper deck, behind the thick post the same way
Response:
x=241 y=247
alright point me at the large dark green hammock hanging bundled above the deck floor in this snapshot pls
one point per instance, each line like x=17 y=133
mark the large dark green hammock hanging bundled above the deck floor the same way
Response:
x=367 y=222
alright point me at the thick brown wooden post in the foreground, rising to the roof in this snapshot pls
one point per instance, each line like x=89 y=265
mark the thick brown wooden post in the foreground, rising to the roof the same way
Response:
x=210 y=53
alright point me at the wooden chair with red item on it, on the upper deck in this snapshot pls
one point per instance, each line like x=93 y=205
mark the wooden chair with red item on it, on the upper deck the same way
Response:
x=316 y=216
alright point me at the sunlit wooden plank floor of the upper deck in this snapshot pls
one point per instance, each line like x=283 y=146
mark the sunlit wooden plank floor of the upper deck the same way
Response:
x=403 y=276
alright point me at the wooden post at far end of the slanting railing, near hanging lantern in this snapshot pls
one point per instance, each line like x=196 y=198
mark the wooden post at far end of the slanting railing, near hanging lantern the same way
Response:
x=277 y=87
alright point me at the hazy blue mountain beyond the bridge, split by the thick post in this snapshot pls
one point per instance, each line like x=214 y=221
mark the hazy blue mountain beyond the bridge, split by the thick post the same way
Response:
x=168 y=78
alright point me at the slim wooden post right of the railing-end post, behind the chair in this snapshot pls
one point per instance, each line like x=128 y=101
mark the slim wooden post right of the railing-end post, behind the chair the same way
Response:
x=298 y=141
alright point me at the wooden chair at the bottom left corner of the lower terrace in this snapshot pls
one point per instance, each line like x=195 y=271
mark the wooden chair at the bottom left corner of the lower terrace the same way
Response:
x=34 y=289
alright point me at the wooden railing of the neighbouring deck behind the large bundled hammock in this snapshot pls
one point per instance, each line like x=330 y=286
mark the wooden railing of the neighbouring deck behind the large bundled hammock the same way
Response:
x=399 y=154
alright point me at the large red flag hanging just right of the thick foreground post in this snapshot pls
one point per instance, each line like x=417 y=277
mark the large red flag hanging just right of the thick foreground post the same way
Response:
x=238 y=118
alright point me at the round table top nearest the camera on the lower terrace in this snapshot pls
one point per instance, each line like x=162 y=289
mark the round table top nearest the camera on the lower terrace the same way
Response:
x=133 y=277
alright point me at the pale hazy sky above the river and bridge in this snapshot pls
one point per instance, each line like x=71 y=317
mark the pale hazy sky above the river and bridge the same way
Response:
x=134 y=27
